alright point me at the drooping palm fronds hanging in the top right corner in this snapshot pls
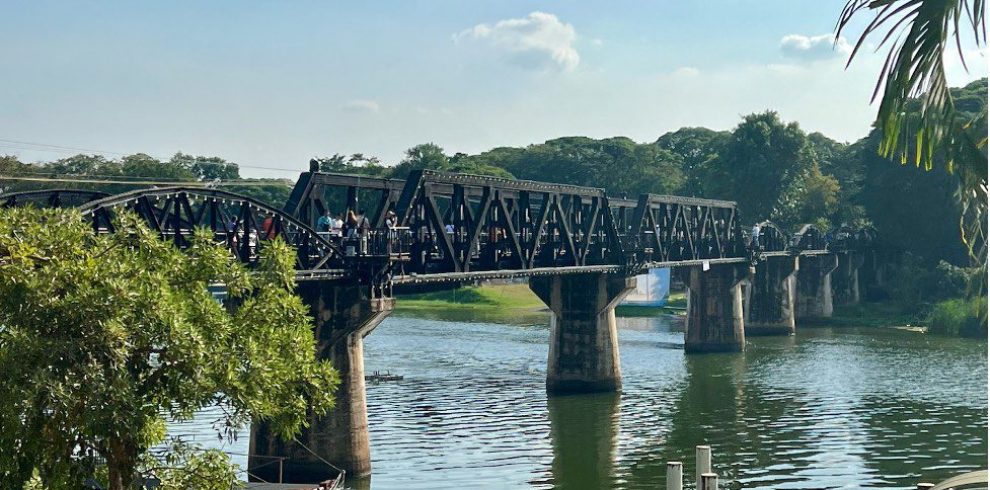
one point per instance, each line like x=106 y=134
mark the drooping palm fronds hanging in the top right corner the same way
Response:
x=919 y=33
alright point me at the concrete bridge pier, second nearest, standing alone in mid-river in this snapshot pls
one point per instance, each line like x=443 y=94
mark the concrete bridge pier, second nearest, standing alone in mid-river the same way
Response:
x=584 y=349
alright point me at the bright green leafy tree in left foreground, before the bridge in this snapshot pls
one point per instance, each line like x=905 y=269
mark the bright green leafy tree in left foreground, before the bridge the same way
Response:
x=104 y=335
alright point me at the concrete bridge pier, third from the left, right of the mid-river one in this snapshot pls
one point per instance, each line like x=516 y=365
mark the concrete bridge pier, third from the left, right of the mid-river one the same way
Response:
x=715 y=320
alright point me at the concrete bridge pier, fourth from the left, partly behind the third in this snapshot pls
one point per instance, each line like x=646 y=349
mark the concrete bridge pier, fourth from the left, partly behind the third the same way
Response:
x=770 y=297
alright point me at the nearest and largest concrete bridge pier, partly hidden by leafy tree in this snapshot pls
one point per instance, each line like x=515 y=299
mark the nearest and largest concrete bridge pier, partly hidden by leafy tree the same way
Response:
x=344 y=315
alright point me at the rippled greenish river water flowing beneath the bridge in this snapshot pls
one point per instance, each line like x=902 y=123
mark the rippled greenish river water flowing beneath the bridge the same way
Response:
x=827 y=408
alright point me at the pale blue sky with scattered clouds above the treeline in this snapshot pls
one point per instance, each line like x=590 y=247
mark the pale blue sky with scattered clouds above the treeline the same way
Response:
x=269 y=85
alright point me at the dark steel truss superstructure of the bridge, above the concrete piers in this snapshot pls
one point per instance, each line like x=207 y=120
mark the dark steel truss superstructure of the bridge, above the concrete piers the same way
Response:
x=456 y=227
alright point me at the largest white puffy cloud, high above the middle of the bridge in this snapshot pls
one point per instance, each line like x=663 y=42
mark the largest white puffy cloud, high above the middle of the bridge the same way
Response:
x=537 y=41
